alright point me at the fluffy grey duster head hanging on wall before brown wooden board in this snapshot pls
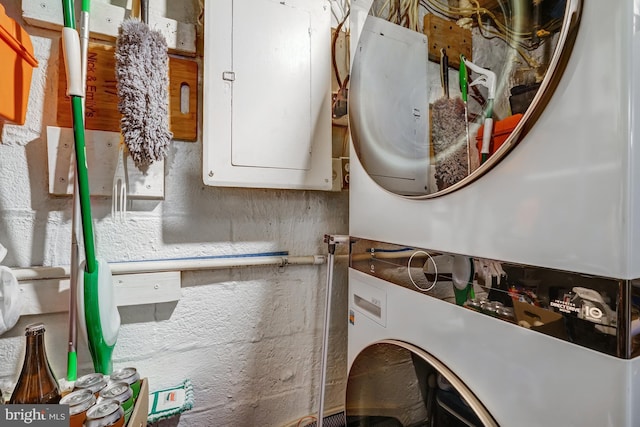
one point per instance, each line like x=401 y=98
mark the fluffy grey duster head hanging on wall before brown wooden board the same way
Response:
x=142 y=76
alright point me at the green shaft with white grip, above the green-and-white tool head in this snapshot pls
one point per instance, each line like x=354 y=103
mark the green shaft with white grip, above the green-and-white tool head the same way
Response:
x=72 y=59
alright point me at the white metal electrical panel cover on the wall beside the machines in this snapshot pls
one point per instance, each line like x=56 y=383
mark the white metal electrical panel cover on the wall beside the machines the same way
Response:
x=267 y=94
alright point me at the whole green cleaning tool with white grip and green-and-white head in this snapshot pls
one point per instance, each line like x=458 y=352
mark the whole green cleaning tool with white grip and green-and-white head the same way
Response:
x=96 y=306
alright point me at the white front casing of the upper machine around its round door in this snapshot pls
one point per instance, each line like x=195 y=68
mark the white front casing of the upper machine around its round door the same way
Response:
x=566 y=196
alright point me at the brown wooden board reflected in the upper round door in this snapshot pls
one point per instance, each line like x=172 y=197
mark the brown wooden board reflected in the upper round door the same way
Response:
x=443 y=33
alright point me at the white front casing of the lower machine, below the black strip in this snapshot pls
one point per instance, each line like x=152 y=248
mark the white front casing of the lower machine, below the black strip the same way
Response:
x=523 y=378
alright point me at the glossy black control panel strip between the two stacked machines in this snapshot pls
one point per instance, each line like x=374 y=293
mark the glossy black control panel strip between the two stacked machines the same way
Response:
x=599 y=313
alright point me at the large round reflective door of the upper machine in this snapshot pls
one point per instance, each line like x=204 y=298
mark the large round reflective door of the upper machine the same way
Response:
x=440 y=91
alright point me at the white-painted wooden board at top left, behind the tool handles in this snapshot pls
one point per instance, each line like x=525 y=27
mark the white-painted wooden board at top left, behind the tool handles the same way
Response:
x=105 y=19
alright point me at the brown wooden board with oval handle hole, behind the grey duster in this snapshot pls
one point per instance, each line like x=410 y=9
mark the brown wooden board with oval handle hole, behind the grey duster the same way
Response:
x=101 y=101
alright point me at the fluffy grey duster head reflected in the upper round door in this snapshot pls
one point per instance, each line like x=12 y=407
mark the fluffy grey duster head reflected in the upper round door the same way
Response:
x=449 y=142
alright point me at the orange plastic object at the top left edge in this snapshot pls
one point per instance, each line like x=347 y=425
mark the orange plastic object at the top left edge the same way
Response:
x=16 y=57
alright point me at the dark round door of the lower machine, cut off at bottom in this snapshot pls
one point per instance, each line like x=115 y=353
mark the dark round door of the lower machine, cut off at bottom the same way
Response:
x=395 y=384
